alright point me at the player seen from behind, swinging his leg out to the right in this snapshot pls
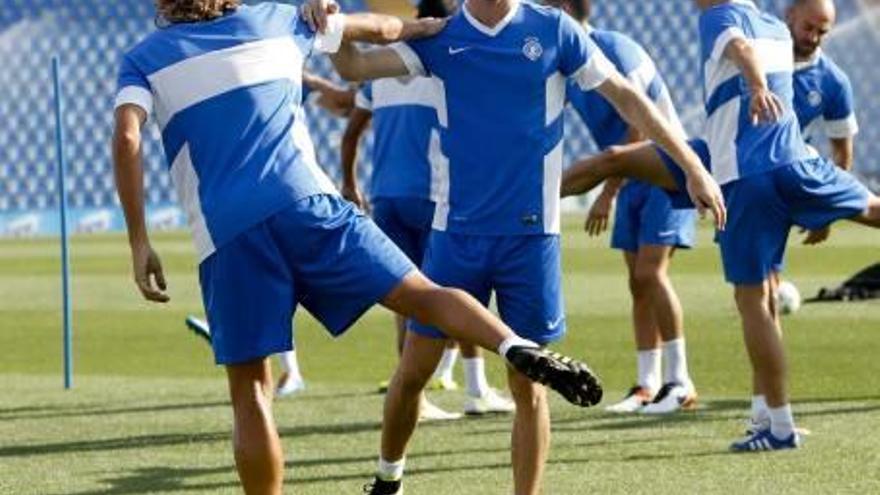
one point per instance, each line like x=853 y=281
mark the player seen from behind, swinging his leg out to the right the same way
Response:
x=224 y=82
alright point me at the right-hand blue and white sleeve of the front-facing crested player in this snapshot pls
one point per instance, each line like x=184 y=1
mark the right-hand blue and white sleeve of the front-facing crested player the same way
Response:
x=580 y=59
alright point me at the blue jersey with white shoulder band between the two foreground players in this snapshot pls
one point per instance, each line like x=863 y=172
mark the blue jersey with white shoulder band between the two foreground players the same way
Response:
x=406 y=139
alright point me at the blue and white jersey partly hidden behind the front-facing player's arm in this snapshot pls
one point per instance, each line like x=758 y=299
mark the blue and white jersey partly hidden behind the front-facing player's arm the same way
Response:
x=608 y=127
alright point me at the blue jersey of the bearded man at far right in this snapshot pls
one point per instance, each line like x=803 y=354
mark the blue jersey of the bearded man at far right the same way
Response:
x=823 y=99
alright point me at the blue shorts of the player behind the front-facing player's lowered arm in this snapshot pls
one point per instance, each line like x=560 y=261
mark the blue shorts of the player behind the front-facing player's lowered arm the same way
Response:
x=644 y=216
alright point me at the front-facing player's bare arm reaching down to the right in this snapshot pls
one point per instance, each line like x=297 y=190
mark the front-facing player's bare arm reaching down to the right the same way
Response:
x=639 y=112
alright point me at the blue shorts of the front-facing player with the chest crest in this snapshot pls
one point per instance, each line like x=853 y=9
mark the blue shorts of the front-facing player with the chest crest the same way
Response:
x=523 y=271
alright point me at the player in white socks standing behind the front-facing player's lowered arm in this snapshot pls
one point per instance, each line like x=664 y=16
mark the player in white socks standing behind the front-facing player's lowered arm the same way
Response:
x=646 y=228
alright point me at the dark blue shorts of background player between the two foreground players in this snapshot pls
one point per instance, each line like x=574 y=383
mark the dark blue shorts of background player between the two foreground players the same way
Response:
x=407 y=222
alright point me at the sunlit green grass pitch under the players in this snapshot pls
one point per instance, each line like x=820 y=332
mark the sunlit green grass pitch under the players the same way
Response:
x=149 y=412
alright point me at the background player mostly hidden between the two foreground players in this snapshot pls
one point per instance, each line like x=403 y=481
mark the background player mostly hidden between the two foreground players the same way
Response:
x=405 y=151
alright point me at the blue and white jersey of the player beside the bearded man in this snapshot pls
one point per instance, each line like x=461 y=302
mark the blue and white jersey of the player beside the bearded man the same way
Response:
x=739 y=148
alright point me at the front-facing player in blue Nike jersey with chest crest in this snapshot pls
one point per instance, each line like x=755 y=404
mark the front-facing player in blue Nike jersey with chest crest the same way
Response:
x=503 y=67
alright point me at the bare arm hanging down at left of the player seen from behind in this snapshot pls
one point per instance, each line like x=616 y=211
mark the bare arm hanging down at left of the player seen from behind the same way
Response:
x=129 y=175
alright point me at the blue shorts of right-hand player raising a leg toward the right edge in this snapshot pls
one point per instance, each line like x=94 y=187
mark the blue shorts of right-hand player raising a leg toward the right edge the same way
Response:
x=762 y=208
